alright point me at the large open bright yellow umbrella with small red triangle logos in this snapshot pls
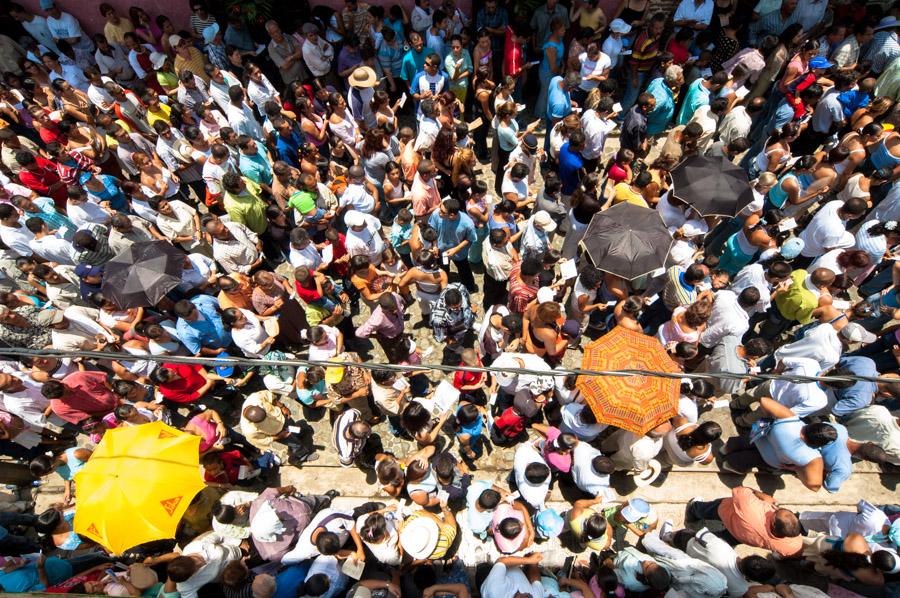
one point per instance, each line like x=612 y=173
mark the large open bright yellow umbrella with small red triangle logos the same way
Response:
x=137 y=485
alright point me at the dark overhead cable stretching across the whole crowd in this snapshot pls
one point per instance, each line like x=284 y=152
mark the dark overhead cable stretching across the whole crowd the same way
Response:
x=306 y=363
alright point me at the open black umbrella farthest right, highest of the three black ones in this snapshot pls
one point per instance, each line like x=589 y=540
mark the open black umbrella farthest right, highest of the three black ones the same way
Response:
x=712 y=186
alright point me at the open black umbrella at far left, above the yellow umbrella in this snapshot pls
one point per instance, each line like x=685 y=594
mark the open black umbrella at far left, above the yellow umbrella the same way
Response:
x=142 y=274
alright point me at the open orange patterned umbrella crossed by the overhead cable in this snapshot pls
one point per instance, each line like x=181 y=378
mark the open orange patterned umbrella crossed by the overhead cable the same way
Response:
x=636 y=403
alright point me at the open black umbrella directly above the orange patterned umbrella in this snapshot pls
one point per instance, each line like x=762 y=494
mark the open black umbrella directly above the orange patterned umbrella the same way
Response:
x=627 y=240
